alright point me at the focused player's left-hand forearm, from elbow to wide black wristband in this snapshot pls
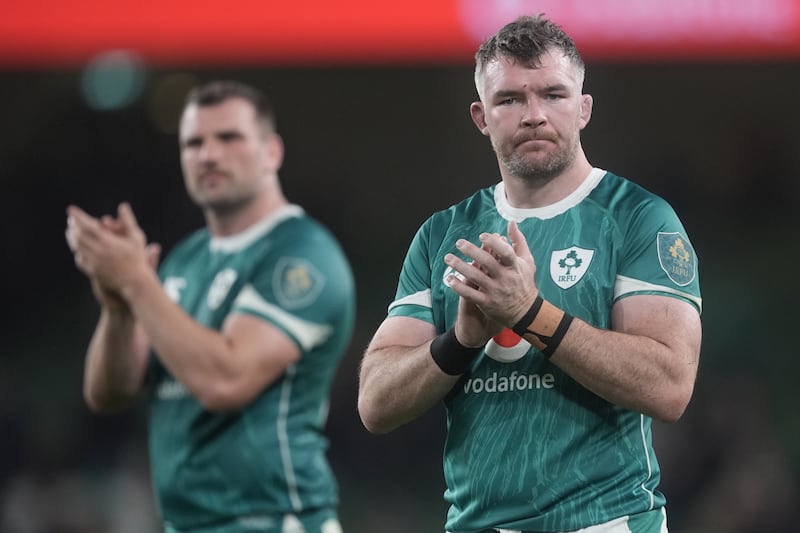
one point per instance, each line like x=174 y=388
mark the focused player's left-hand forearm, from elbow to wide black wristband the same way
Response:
x=398 y=384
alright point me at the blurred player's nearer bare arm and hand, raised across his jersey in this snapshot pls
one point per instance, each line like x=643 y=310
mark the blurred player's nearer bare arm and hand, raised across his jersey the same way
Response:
x=223 y=369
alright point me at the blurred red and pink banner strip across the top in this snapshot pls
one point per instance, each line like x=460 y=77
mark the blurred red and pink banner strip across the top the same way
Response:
x=64 y=33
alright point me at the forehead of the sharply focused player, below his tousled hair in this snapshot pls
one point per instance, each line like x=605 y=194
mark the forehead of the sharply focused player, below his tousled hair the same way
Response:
x=554 y=69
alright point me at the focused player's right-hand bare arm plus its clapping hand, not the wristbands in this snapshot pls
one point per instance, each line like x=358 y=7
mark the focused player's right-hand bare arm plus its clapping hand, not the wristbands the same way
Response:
x=647 y=362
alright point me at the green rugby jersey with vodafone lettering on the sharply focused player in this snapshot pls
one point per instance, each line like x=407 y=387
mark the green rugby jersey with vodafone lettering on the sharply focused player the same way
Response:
x=527 y=446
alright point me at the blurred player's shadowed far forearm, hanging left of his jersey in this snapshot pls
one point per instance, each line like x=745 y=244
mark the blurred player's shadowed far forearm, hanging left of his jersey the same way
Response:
x=116 y=362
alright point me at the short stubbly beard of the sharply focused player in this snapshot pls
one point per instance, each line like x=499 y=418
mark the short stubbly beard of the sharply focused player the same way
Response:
x=538 y=168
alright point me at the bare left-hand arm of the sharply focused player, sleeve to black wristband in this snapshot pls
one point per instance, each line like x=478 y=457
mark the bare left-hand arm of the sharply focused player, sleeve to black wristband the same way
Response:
x=399 y=380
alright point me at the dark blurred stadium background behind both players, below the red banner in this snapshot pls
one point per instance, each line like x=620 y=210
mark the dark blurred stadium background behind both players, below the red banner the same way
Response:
x=372 y=149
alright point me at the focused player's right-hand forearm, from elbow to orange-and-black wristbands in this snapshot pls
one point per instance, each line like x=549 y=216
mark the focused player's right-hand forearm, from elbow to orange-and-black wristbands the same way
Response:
x=633 y=371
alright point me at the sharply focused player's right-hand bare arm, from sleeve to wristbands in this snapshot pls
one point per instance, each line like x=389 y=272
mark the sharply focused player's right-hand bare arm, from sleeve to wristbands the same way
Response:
x=647 y=363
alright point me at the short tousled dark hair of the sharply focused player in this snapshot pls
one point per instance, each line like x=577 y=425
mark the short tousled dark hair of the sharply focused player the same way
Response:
x=525 y=40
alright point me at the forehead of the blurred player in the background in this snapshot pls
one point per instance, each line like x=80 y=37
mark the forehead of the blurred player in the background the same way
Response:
x=230 y=114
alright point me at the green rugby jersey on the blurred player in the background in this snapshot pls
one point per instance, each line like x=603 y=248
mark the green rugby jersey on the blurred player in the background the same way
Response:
x=240 y=470
